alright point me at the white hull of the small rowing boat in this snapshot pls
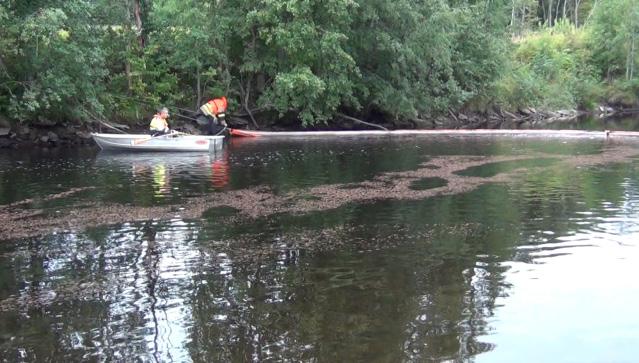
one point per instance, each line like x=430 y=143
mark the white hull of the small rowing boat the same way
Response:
x=172 y=143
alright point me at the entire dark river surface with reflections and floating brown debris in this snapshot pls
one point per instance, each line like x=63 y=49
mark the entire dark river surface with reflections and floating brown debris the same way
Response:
x=490 y=249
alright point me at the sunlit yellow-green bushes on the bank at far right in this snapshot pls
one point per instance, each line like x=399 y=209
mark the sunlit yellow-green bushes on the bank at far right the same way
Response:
x=564 y=66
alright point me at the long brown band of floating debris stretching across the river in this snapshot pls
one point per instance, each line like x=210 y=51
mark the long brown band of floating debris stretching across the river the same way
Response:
x=462 y=173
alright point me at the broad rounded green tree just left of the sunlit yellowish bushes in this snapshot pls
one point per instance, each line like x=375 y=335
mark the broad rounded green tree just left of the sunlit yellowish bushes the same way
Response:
x=428 y=56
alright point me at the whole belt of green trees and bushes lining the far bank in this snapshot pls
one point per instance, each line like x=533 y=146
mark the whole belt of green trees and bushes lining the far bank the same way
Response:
x=296 y=61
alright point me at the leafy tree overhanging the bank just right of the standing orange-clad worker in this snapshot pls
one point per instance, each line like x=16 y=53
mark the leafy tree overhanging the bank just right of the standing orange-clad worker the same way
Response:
x=301 y=46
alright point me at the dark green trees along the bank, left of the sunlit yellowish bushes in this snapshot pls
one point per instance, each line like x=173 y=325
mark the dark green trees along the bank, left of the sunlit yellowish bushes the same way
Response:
x=294 y=59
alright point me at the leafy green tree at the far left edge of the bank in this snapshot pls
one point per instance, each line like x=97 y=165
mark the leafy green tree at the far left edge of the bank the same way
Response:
x=53 y=62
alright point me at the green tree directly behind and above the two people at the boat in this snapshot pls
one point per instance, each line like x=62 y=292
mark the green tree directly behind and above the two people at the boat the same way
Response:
x=188 y=40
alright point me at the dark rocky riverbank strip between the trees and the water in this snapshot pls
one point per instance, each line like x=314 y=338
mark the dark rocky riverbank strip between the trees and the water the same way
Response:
x=48 y=134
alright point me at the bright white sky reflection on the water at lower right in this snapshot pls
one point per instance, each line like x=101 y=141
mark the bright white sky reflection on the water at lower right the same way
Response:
x=576 y=292
